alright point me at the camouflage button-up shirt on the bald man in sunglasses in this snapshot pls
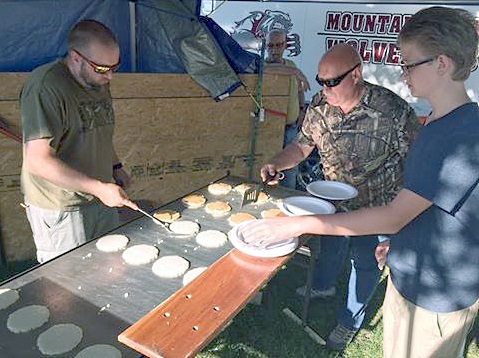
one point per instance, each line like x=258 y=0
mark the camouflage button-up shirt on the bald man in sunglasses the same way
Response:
x=364 y=147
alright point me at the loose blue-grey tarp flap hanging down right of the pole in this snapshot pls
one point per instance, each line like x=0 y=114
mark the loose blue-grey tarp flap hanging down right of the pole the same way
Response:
x=191 y=41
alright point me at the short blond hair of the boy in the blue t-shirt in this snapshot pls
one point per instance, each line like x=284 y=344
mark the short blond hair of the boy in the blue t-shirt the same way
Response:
x=442 y=30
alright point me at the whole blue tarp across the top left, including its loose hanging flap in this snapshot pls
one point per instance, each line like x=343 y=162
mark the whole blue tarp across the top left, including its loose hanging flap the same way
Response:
x=171 y=37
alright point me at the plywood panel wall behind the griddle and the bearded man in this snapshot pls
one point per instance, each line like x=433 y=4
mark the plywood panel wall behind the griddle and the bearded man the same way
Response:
x=171 y=136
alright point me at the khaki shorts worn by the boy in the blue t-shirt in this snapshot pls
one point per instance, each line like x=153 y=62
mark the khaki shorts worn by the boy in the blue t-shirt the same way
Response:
x=413 y=332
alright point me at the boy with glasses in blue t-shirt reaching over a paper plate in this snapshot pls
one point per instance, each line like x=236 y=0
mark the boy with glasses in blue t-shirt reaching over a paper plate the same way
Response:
x=432 y=296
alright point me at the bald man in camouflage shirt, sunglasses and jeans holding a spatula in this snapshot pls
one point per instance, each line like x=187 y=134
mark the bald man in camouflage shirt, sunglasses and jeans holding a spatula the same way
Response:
x=362 y=133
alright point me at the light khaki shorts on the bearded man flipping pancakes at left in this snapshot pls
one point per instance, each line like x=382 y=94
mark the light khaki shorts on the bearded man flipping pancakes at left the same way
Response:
x=56 y=232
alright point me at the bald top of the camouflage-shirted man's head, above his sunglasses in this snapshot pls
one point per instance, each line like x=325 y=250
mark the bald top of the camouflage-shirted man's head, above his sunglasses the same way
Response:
x=337 y=60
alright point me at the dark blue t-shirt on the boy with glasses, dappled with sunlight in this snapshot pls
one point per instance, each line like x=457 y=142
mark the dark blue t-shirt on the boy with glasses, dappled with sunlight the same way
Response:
x=434 y=260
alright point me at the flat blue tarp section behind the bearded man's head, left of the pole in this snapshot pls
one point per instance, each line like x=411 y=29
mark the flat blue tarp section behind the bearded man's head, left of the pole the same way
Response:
x=33 y=32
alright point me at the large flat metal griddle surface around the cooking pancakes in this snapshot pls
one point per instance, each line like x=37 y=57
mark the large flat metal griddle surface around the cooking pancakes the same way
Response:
x=112 y=294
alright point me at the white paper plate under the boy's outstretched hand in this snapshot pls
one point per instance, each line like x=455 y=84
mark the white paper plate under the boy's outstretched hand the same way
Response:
x=275 y=250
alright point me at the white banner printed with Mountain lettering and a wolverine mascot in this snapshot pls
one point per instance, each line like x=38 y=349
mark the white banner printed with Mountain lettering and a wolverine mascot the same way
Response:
x=314 y=27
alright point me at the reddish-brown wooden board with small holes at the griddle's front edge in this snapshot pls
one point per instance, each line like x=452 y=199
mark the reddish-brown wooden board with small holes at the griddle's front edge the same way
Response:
x=189 y=319
